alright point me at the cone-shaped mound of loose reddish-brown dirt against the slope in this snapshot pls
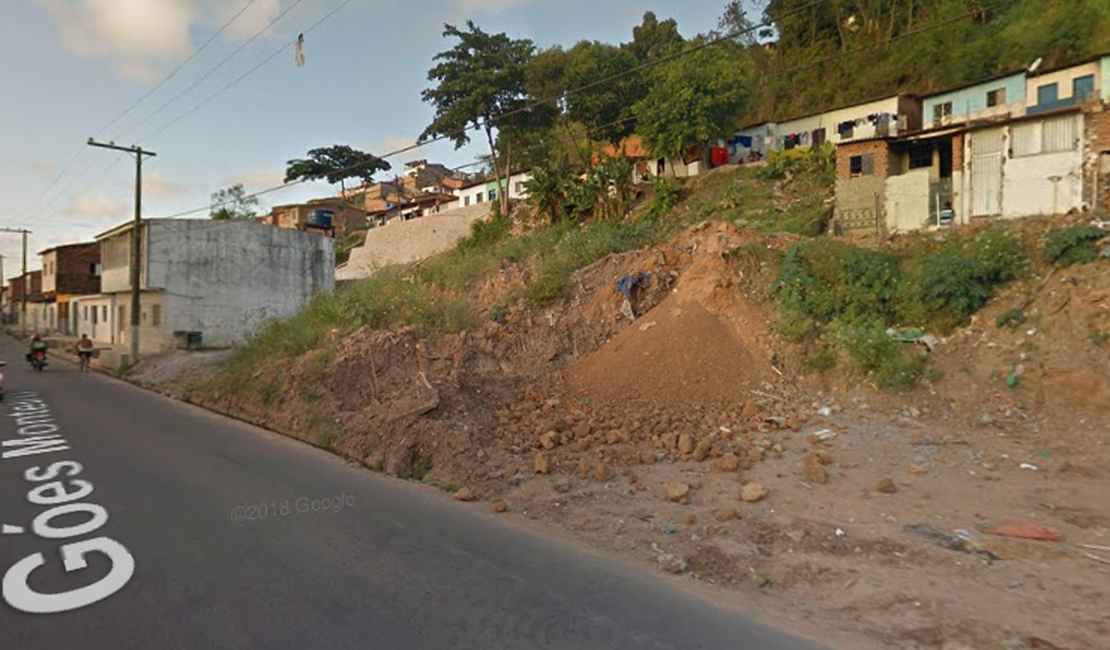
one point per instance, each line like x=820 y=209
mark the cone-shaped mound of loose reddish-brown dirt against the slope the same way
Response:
x=675 y=356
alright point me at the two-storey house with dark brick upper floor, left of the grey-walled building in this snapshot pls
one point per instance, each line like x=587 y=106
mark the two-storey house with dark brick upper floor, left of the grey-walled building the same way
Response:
x=68 y=272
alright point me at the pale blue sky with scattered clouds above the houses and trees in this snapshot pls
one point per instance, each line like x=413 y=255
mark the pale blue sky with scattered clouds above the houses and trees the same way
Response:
x=76 y=69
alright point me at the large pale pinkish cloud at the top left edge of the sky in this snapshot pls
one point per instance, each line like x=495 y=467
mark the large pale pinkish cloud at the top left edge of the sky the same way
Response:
x=134 y=35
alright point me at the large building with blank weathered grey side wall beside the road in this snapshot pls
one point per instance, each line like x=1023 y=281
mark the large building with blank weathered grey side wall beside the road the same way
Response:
x=219 y=281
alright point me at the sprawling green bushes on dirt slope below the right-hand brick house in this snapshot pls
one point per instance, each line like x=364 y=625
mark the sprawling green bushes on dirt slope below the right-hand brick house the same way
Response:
x=834 y=293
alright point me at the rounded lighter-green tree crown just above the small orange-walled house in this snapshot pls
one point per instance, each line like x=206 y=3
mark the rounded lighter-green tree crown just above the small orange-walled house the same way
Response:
x=694 y=99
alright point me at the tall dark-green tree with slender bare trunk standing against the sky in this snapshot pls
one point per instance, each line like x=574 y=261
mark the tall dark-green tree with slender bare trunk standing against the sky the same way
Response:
x=479 y=80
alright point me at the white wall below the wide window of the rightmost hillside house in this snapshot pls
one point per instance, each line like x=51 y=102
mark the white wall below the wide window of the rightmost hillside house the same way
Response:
x=1030 y=190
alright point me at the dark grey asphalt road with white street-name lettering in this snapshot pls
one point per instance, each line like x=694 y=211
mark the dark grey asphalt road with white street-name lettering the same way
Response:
x=391 y=566
